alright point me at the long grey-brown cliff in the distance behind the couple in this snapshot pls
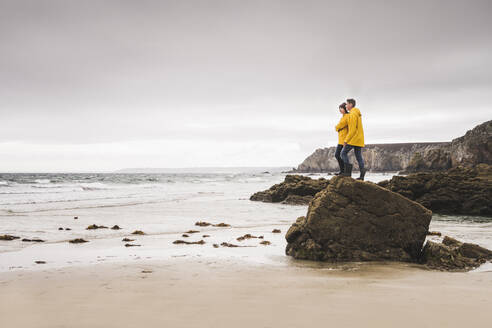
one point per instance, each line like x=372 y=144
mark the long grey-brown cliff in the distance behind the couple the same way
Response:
x=473 y=148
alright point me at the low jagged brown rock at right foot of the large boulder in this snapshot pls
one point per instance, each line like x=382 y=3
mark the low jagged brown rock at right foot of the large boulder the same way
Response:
x=453 y=255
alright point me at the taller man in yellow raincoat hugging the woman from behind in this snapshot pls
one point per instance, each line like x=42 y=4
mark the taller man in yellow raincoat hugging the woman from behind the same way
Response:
x=354 y=140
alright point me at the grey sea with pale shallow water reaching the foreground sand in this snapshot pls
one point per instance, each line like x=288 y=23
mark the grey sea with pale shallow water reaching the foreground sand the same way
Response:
x=58 y=207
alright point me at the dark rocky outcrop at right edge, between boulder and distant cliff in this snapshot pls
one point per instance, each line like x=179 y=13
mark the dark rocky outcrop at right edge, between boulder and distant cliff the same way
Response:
x=460 y=190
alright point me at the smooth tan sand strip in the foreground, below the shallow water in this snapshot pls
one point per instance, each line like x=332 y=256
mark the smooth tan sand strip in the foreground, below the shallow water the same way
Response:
x=219 y=293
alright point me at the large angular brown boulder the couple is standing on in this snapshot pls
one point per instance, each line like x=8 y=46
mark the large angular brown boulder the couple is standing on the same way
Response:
x=353 y=220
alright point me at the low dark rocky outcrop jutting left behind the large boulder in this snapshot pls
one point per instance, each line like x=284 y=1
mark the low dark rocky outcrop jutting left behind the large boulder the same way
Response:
x=295 y=190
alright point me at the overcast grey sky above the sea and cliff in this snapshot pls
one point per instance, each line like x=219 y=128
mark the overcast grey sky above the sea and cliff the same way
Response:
x=103 y=85
